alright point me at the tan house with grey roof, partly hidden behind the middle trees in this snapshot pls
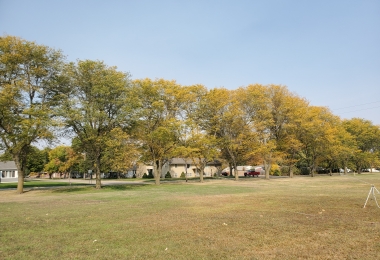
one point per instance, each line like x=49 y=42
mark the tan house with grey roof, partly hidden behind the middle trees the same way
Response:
x=177 y=166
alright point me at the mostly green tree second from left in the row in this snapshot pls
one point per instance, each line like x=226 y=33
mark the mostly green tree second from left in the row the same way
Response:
x=98 y=103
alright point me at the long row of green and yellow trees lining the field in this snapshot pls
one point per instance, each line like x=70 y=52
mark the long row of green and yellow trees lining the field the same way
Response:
x=117 y=121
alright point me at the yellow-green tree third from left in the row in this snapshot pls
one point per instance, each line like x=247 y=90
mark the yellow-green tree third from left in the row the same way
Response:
x=161 y=106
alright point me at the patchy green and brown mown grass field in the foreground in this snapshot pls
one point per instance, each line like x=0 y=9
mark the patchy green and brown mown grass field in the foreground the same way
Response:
x=300 y=218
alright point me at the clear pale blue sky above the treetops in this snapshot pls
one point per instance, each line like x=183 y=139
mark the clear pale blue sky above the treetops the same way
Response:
x=326 y=51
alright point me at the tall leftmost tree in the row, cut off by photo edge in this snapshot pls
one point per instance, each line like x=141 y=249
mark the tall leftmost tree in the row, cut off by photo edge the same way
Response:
x=30 y=87
